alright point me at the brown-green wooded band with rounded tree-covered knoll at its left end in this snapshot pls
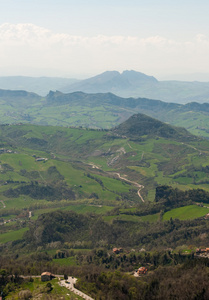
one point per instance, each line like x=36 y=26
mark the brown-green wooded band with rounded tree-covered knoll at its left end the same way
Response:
x=70 y=228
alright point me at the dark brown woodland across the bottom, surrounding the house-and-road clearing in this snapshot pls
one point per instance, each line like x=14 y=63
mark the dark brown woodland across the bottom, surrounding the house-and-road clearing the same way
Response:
x=188 y=280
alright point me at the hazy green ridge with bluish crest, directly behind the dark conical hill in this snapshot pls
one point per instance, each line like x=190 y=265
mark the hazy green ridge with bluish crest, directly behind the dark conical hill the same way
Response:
x=97 y=110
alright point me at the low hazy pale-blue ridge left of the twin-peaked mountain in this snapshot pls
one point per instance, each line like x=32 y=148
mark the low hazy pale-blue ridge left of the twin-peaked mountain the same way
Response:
x=39 y=85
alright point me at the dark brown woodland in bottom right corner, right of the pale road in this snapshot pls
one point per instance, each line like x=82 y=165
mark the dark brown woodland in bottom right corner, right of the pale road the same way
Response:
x=186 y=282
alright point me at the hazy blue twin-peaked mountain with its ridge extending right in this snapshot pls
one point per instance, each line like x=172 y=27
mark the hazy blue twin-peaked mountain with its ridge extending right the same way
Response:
x=136 y=84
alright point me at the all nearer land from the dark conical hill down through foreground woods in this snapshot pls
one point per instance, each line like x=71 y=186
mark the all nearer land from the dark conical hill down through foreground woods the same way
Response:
x=69 y=196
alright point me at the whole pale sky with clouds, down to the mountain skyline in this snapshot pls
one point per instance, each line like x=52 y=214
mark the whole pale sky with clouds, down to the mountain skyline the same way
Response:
x=79 y=39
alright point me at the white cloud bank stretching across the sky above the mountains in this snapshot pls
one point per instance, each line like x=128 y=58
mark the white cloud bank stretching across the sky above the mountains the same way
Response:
x=29 y=46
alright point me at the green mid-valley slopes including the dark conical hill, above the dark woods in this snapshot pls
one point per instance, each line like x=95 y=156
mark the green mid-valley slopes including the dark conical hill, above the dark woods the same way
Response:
x=146 y=150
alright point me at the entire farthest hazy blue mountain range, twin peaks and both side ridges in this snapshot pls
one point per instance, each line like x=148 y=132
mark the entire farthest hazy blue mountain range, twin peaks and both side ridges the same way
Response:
x=125 y=84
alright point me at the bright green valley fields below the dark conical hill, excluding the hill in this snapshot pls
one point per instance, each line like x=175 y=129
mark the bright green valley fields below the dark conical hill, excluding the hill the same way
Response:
x=71 y=154
